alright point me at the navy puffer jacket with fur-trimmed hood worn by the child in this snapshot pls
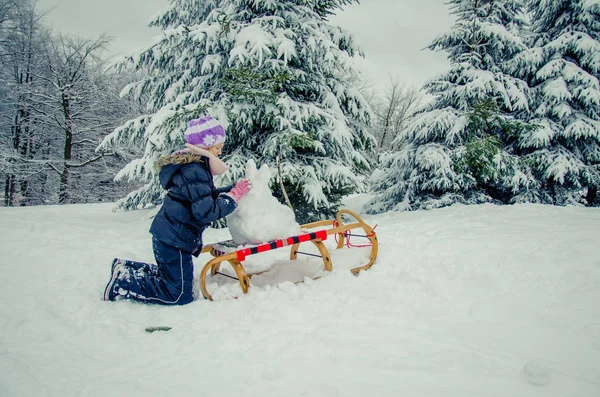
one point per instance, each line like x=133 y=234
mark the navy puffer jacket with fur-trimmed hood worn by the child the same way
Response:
x=192 y=204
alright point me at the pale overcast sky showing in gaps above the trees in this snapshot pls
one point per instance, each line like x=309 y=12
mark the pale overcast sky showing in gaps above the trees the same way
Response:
x=392 y=33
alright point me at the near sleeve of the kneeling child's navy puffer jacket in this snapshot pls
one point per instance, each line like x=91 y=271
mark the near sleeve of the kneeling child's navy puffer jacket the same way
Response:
x=197 y=188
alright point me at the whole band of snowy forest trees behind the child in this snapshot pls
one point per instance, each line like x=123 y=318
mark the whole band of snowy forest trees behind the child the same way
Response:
x=512 y=118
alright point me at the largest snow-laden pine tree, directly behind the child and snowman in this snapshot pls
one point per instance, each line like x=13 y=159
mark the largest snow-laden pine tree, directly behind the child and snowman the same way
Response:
x=277 y=75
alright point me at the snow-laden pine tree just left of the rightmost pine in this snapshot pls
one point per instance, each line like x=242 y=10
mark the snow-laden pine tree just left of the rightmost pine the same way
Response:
x=459 y=147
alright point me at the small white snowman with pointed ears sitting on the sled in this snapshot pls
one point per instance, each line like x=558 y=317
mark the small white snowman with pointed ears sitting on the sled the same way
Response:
x=260 y=217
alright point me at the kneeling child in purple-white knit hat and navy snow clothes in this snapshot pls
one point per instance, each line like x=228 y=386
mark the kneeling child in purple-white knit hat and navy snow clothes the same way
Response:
x=191 y=205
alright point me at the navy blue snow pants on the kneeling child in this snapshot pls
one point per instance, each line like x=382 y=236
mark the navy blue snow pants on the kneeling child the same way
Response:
x=168 y=282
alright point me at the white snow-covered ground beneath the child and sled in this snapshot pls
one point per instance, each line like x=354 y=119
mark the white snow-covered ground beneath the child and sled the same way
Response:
x=462 y=301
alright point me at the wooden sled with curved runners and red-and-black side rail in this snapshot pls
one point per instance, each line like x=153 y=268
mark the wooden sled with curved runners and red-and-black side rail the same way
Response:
x=235 y=258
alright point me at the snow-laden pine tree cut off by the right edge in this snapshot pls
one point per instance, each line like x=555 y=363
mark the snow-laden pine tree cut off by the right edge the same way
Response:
x=562 y=67
